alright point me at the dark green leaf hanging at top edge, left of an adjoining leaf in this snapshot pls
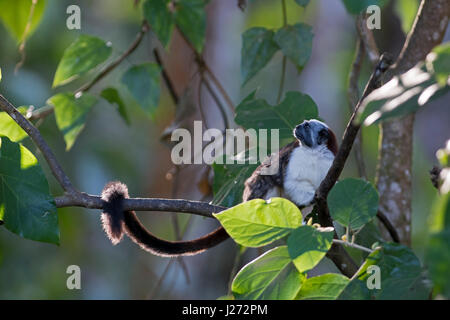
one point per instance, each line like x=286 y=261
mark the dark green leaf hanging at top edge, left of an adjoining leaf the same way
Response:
x=160 y=19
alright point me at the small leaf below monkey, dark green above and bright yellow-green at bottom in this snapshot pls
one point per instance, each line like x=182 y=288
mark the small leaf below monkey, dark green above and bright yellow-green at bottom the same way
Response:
x=308 y=245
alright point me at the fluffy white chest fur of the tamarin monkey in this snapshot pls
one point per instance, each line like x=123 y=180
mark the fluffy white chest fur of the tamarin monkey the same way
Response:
x=305 y=171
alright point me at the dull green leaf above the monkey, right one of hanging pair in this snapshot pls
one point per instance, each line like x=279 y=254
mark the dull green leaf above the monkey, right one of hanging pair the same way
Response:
x=295 y=43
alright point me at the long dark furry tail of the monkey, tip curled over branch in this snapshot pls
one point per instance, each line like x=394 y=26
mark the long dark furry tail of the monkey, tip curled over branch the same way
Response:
x=116 y=222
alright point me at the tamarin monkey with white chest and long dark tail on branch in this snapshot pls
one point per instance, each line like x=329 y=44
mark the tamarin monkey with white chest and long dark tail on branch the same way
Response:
x=302 y=165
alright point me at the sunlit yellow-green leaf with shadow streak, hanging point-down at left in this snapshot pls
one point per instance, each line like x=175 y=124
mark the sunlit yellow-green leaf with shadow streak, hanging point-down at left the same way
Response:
x=71 y=114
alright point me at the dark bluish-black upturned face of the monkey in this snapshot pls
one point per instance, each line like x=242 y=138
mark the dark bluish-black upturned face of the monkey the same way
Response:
x=312 y=133
